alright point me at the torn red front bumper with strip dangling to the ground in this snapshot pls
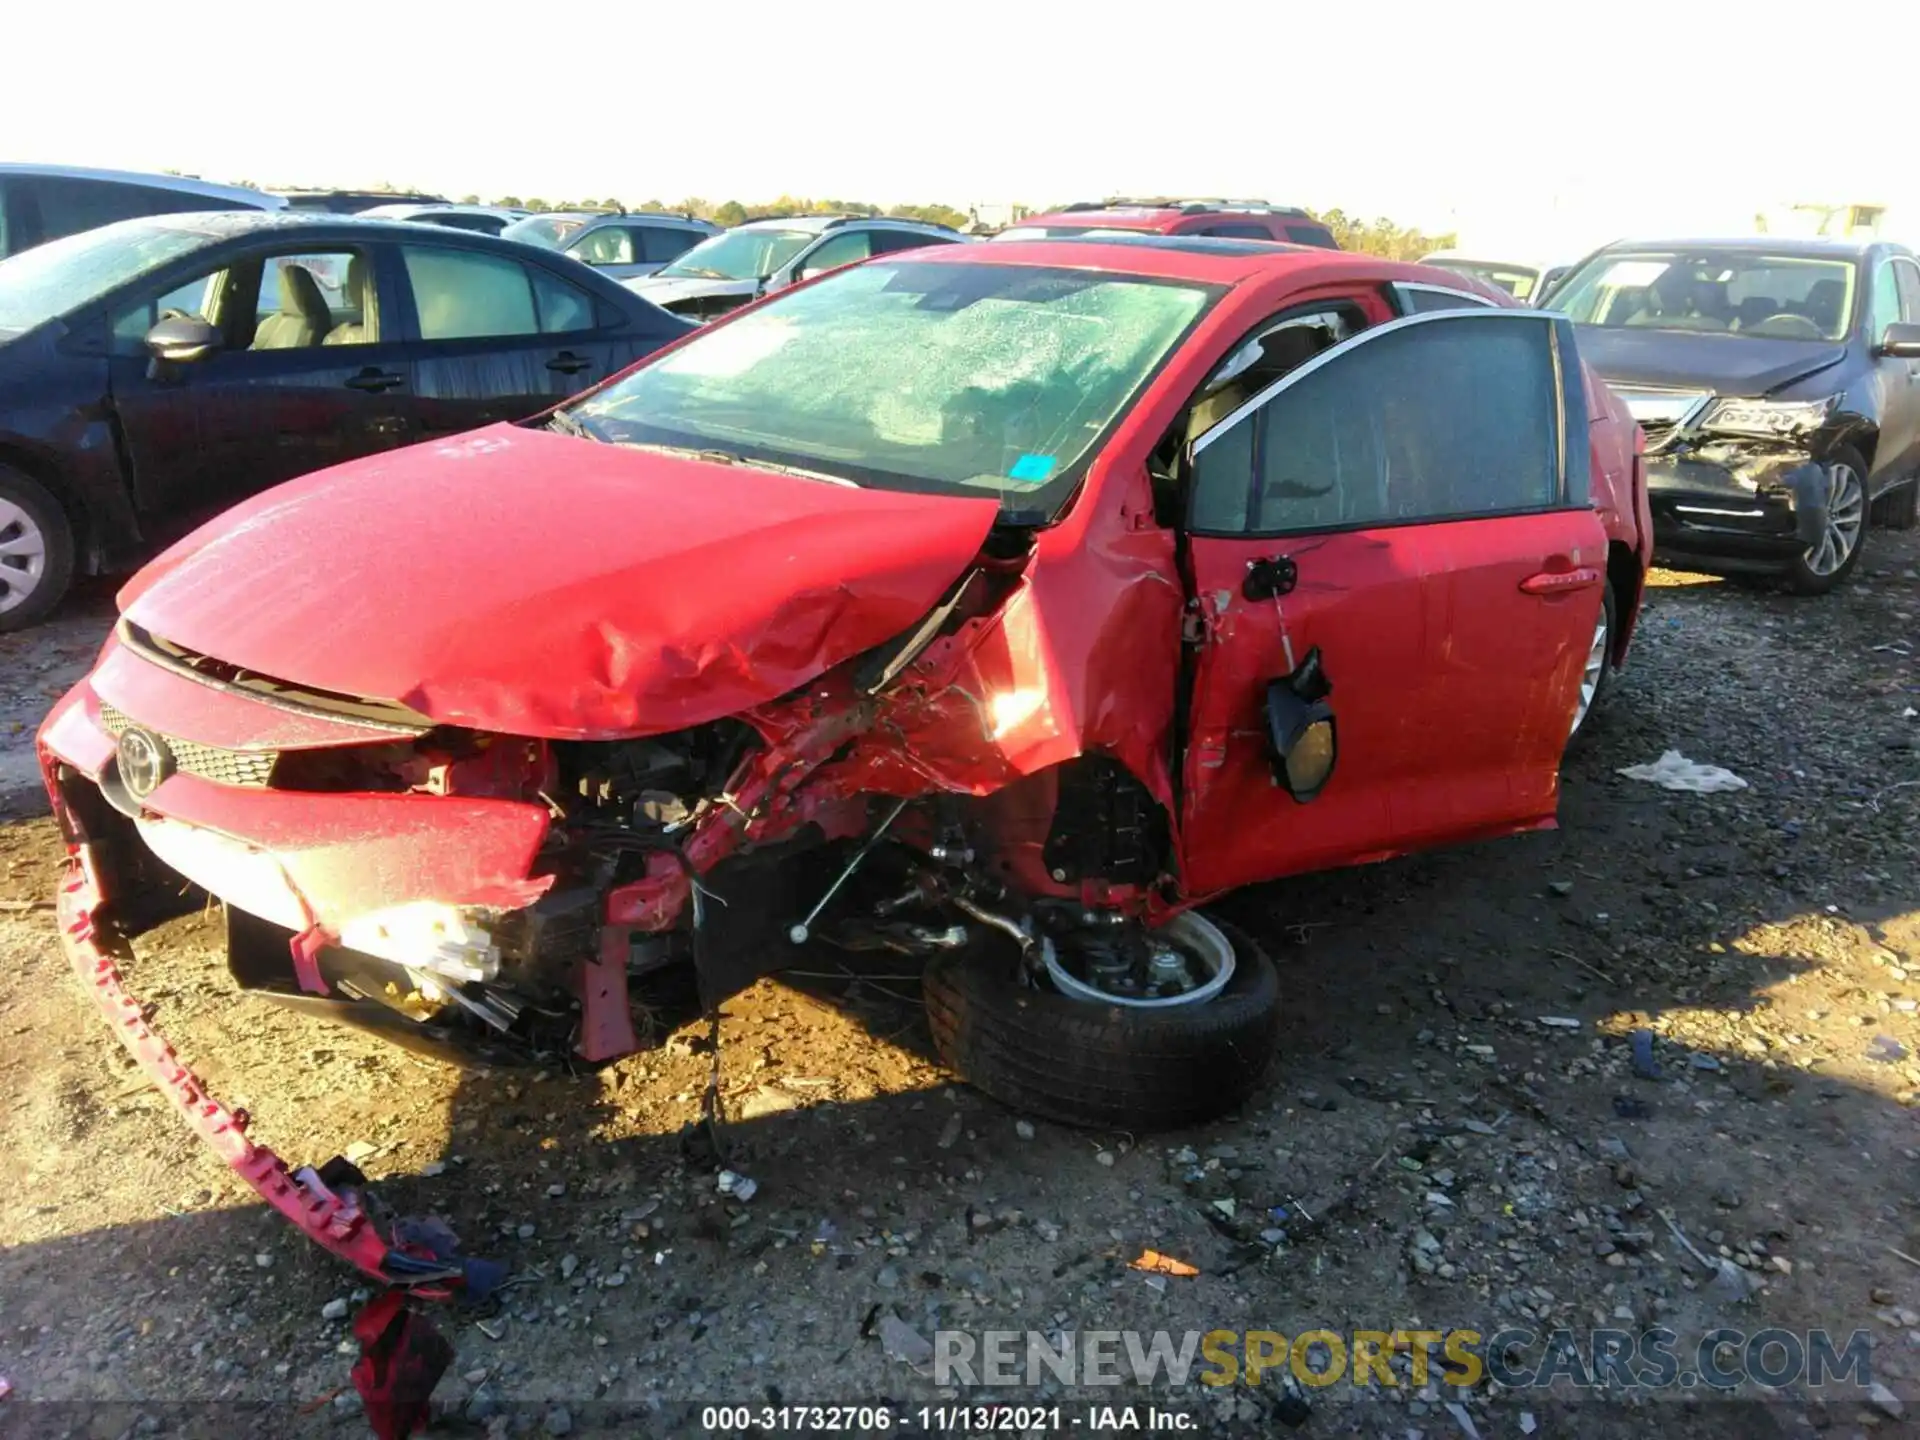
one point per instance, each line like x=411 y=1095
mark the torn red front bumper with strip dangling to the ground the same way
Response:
x=314 y=855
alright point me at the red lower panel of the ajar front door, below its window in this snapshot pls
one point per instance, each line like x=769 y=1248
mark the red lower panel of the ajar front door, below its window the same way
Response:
x=1452 y=690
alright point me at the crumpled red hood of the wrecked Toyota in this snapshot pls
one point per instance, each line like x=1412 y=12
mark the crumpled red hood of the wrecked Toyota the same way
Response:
x=537 y=585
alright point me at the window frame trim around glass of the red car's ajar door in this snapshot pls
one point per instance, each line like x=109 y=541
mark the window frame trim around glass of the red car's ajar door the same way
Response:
x=1483 y=310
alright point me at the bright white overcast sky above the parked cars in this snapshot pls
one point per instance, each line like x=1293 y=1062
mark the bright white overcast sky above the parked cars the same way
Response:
x=1527 y=128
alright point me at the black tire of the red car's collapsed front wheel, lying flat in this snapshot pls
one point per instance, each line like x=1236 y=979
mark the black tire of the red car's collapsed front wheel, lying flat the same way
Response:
x=1105 y=1067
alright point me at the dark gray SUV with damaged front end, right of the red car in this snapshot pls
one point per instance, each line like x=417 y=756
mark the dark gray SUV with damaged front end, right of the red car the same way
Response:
x=1779 y=387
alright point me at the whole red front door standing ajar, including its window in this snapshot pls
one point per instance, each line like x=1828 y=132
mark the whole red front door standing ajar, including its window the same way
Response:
x=1404 y=514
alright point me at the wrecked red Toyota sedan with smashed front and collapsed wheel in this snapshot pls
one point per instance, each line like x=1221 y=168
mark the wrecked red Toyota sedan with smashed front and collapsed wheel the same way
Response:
x=994 y=606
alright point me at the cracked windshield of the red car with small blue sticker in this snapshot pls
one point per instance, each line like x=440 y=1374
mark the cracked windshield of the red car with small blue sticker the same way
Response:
x=948 y=379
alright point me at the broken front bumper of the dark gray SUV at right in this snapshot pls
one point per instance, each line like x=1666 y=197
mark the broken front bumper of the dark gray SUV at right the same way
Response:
x=1735 y=516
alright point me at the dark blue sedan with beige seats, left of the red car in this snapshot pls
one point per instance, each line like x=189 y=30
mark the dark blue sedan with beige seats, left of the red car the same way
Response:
x=160 y=370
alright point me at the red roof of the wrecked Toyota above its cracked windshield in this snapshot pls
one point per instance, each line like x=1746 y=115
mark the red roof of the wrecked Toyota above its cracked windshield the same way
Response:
x=1195 y=258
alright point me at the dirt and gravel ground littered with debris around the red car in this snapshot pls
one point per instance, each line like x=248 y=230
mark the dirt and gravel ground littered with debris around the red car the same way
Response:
x=1447 y=1157
